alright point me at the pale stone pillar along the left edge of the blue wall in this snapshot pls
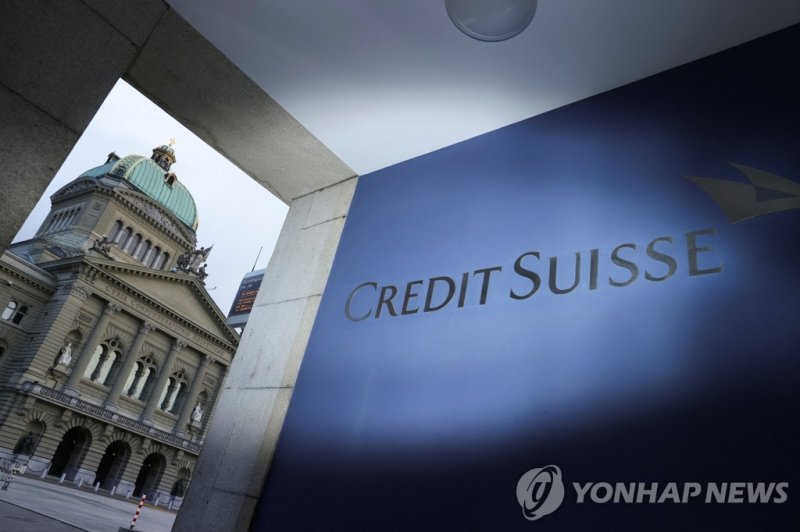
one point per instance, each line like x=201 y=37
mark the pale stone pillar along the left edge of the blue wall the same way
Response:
x=244 y=430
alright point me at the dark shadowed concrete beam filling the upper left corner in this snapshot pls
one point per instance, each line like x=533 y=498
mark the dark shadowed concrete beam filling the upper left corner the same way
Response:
x=58 y=62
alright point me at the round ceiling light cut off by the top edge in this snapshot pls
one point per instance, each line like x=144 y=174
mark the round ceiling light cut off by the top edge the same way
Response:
x=491 y=20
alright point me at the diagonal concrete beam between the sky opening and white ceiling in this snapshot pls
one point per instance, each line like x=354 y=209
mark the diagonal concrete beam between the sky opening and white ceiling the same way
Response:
x=195 y=83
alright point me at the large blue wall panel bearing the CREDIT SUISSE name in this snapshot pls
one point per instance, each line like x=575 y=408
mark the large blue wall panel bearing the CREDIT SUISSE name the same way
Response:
x=589 y=319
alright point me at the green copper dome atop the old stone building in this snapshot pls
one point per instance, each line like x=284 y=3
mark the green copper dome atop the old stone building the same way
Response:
x=147 y=176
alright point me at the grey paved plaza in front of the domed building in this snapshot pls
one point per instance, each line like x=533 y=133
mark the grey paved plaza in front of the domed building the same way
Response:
x=33 y=505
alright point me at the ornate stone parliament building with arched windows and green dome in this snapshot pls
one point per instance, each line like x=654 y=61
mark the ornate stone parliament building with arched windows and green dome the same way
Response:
x=112 y=353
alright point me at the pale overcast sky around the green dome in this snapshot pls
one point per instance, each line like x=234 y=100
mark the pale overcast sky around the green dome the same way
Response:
x=237 y=215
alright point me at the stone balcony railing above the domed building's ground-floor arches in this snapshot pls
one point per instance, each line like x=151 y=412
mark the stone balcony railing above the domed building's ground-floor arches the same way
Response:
x=99 y=412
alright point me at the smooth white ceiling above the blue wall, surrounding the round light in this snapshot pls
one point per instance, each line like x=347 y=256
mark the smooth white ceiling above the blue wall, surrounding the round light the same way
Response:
x=381 y=81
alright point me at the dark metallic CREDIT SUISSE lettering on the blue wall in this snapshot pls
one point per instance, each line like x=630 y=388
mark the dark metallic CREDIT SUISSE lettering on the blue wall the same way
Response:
x=655 y=261
